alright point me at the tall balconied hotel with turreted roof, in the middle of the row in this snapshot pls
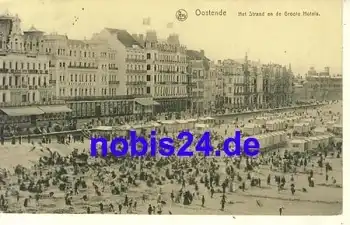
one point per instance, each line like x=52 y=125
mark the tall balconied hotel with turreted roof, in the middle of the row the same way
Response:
x=166 y=65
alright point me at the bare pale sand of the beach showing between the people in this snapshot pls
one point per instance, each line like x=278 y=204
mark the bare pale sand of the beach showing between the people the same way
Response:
x=323 y=199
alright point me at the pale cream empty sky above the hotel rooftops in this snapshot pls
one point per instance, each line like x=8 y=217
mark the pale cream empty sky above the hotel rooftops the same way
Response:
x=301 y=41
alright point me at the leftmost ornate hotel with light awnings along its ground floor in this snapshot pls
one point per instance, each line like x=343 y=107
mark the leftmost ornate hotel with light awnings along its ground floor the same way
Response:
x=25 y=81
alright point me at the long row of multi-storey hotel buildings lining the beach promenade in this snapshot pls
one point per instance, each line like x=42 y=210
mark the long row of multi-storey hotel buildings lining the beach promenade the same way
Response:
x=116 y=73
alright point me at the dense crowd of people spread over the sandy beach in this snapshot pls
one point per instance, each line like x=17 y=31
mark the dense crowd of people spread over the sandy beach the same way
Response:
x=76 y=183
